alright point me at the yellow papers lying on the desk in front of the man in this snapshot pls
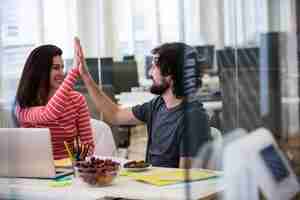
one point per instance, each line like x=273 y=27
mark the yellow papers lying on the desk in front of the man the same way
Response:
x=162 y=177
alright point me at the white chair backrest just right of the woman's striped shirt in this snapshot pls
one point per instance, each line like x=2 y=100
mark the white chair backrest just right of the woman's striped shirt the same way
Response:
x=104 y=141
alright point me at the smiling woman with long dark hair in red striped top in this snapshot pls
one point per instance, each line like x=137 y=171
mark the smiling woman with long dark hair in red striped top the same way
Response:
x=45 y=99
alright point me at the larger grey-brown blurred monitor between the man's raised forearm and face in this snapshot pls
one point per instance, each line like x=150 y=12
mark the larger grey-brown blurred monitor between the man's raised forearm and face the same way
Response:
x=125 y=76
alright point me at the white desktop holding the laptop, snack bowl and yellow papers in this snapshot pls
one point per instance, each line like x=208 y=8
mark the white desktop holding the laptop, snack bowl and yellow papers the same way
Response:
x=123 y=187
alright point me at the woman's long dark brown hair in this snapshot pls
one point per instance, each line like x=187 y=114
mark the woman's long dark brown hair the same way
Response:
x=34 y=85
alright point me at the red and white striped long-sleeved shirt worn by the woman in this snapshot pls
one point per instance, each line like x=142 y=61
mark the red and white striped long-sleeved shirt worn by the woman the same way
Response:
x=66 y=115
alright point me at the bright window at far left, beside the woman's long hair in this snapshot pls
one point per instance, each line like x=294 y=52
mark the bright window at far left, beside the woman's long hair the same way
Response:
x=19 y=34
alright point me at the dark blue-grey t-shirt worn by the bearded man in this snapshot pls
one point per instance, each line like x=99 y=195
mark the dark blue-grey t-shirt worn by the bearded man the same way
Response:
x=166 y=134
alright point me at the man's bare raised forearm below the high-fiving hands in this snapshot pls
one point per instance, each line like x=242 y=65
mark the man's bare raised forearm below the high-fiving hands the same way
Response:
x=101 y=100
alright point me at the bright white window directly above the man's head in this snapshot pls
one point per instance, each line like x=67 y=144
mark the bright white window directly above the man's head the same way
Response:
x=142 y=25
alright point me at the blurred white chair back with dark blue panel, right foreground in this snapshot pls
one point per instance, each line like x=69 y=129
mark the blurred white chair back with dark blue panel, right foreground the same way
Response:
x=255 y=162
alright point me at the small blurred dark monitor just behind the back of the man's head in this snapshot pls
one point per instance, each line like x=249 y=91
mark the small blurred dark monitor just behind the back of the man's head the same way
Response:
x=206 y=53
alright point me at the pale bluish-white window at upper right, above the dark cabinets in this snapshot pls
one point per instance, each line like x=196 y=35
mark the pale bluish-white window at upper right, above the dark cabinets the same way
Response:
x=244 y=20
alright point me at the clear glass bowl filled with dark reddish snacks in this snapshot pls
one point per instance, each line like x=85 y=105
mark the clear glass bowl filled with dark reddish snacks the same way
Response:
x=96 y=171
